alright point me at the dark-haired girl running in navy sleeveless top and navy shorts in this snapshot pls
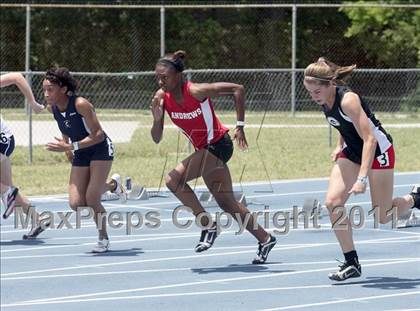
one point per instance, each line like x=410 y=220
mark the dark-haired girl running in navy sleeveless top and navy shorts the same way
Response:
x=86 y=145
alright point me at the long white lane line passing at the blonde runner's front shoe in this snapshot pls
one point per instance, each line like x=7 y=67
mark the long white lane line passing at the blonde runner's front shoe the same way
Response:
x=81 y=298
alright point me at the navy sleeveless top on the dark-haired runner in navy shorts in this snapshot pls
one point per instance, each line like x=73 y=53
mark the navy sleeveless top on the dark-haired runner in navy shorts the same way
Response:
x=70 y=122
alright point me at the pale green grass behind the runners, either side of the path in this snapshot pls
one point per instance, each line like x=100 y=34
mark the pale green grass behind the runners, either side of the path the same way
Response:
x=283 y=153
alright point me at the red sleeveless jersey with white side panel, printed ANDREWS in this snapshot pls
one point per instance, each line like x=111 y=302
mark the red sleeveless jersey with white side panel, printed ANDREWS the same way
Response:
x=196 y=119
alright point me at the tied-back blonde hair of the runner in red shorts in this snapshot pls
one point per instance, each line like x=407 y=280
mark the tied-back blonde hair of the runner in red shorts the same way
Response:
x=324 y=72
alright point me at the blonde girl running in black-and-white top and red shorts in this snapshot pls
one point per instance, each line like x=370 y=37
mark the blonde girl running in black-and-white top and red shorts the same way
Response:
x=364 y=152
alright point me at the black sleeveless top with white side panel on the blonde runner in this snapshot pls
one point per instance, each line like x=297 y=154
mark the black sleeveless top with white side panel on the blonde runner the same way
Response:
x=343 y=123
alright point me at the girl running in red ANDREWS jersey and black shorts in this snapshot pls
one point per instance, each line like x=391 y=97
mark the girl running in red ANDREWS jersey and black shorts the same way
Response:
x=189 y=107
